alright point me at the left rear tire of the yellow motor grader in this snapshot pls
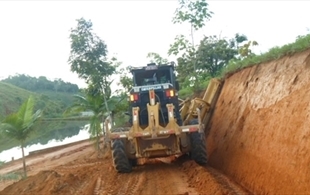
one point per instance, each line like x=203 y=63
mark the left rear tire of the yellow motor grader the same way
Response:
x=120 y=160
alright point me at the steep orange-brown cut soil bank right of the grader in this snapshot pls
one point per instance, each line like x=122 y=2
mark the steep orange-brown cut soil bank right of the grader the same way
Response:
x=260 y=131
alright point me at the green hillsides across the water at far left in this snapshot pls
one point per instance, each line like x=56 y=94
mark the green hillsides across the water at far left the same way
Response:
x=53 y=97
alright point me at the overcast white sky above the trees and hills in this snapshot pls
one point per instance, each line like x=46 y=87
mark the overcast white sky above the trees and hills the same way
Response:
x=34 y=35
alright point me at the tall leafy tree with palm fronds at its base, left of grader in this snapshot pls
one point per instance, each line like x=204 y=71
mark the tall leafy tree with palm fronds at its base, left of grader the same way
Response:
x=88 y=58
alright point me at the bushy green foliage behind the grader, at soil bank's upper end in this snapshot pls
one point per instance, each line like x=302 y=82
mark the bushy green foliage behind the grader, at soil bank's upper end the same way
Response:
x=208 y=59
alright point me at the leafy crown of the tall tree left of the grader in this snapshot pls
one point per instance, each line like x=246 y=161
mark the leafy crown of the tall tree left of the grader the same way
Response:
x=88 y=57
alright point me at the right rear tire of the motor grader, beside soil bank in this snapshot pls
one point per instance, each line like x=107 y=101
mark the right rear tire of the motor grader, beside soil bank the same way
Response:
x=198 y=146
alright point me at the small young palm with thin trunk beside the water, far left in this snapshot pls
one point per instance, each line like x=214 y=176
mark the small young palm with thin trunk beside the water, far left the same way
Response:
x=20 y=125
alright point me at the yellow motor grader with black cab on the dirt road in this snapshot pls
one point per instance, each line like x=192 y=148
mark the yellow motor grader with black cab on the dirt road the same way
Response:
x=161 y=124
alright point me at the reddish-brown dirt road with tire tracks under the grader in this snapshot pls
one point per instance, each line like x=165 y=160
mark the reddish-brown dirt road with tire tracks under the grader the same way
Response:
x=77 y=169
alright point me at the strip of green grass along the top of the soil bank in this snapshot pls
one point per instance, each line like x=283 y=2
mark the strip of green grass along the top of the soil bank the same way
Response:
x=302 y=43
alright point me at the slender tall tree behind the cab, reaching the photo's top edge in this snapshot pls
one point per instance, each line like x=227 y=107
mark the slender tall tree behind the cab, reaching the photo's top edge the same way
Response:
x=196 y=13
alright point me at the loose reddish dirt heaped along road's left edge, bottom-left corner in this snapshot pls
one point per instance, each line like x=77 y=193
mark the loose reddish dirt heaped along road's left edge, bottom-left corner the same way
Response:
x=77 y=177
